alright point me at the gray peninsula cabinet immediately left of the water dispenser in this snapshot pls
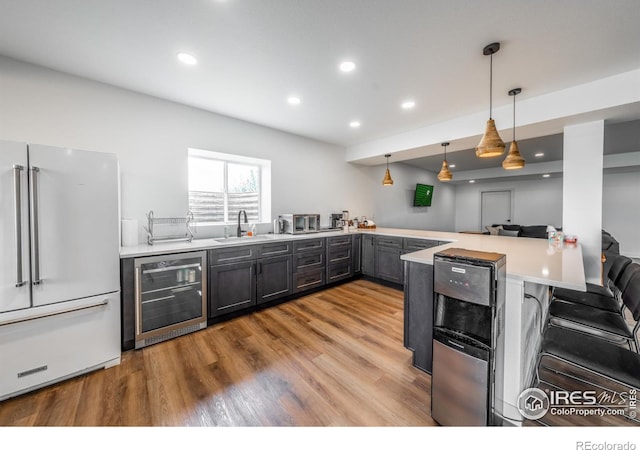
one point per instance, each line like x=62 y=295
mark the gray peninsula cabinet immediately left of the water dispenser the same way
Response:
x=418 y=313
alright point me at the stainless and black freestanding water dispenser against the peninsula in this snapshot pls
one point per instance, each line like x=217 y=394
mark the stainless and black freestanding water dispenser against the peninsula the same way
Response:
x=468 y=343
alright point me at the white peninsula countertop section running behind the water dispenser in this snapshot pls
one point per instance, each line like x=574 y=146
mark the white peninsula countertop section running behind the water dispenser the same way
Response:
x=528 y=259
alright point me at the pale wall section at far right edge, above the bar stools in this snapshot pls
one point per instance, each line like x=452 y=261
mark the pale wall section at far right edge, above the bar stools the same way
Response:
x=621 y=209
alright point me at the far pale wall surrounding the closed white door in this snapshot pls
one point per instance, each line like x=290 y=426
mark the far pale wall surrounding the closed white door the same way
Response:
x=534 y=202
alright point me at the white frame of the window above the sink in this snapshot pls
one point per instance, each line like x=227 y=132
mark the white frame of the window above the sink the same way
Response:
x=264 y=182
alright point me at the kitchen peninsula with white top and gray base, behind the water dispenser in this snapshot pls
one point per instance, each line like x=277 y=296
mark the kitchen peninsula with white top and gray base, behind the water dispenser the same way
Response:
x=532 y=267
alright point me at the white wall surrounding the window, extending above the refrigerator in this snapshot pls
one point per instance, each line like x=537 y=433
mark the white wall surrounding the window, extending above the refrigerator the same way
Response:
x=151 y=137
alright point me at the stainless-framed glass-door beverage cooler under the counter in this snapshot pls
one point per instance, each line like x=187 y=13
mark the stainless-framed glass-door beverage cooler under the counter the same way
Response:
x=170 y=296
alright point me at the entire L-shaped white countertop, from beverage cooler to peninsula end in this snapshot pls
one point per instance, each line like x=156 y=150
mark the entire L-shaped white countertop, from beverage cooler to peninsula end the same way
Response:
x=528 y=259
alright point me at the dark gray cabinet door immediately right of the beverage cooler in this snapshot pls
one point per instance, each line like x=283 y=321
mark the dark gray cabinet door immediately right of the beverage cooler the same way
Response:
x=232 y=287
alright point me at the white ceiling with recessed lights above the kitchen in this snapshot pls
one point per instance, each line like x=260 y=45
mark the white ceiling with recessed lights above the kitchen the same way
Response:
x=253 y=54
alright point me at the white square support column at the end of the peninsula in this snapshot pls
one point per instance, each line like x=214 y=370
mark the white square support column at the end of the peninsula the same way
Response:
x=582 y=192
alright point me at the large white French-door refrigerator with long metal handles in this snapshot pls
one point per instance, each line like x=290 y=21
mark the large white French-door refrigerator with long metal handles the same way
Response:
x=59 y=265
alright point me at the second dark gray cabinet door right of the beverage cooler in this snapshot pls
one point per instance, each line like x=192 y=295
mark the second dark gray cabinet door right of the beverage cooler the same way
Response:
x=274 y=278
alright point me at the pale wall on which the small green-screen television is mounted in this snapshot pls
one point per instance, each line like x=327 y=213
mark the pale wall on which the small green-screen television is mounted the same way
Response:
x=393 y=205
